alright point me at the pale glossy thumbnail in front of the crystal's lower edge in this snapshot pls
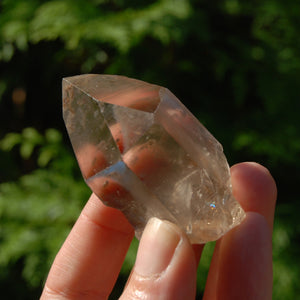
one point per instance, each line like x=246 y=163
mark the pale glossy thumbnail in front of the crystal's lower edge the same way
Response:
x=157 y=247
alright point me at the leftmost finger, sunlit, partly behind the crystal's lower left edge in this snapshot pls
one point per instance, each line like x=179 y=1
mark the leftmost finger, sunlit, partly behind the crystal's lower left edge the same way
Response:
x=90 y=260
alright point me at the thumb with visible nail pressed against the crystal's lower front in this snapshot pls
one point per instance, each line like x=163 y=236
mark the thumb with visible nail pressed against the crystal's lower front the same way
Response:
x=165 y=266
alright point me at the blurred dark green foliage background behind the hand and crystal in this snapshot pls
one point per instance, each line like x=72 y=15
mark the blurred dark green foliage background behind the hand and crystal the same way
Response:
x=235 y=64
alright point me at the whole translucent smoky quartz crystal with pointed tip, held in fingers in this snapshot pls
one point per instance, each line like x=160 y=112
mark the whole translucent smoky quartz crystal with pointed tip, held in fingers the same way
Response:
x=141 y=151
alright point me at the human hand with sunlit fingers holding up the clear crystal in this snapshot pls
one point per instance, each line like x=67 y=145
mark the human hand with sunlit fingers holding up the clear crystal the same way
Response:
x=88 y=264
